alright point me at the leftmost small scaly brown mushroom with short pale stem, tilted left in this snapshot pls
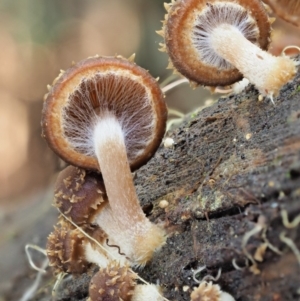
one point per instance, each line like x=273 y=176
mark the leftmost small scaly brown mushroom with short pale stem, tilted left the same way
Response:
x=70 y=251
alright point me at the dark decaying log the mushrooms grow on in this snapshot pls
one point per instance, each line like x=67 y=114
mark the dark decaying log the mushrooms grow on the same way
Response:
x=233 y=168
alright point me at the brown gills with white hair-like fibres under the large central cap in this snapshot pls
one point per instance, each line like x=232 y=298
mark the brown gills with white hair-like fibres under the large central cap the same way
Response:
x=109 y=94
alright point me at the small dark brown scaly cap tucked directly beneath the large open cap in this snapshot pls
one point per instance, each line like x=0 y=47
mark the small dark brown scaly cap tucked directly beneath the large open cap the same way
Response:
x=79 y=194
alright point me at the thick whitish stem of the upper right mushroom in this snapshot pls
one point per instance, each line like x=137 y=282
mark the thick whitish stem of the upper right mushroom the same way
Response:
x=267 y=72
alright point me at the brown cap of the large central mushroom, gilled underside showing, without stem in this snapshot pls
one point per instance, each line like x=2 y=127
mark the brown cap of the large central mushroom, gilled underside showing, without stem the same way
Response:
x=92 y=87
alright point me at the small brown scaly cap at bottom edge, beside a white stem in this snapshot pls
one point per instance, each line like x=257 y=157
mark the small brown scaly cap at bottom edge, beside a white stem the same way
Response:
x=113 y=283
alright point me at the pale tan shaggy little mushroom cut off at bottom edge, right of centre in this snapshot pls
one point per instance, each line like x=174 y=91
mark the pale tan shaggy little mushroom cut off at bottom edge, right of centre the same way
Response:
x=206 y=291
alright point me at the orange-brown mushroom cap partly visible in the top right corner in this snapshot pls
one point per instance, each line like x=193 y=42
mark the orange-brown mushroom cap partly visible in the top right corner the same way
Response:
x=288 y=10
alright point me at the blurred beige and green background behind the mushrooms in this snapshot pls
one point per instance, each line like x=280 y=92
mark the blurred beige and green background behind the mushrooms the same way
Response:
x=37 y=39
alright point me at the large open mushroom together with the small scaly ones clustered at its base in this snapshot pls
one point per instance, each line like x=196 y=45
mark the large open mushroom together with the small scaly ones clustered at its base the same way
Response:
x=106 y=116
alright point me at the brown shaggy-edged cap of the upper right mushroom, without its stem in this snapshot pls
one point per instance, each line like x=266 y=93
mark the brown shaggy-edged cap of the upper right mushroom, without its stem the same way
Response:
x=185 y=17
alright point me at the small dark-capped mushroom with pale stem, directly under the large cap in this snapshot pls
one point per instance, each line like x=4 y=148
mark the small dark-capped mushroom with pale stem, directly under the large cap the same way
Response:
x=80 y=195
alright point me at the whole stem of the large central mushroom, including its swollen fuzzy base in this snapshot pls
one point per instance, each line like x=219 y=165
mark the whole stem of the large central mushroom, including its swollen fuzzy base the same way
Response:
x=136 y=236
